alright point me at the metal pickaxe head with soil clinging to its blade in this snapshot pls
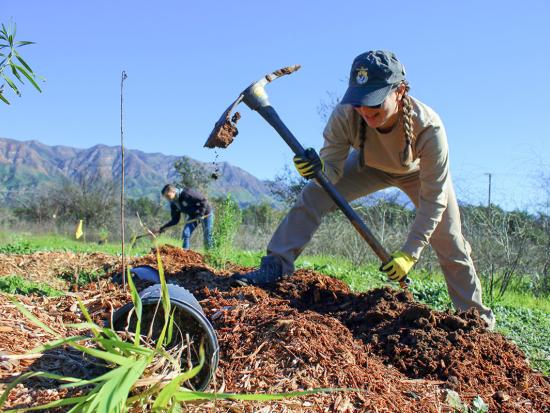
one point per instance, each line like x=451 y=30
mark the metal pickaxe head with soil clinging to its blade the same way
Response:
x=254 y=96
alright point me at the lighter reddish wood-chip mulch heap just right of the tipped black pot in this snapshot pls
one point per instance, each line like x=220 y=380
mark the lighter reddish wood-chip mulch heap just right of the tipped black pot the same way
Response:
x=269 y=346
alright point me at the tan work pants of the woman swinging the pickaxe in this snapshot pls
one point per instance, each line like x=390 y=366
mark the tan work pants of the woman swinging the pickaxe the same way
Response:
x=452 y=250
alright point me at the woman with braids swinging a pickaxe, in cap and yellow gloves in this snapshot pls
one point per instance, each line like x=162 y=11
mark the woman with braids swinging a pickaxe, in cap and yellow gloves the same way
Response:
x=380 y=137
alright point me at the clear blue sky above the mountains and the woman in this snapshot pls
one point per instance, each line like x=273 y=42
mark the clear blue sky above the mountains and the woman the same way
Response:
x=482 y=65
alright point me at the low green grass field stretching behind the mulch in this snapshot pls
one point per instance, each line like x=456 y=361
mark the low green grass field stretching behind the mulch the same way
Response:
x=523 y=318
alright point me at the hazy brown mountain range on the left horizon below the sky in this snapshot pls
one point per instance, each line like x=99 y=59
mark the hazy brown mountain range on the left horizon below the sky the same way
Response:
x=26 y=166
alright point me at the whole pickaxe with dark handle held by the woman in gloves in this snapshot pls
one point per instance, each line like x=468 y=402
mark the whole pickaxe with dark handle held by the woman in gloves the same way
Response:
x=255 y=97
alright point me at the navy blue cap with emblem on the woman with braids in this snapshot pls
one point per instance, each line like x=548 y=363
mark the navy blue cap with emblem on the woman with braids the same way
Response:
x=373 y=75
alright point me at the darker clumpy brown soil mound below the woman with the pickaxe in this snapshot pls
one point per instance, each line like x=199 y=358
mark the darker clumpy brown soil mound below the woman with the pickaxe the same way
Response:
x=421 y=343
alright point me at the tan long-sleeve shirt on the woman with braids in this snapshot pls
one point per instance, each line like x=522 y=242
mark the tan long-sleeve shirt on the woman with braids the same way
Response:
x=382 y=151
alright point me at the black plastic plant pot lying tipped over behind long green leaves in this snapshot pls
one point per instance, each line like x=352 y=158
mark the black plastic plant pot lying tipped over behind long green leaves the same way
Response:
x=188 y=319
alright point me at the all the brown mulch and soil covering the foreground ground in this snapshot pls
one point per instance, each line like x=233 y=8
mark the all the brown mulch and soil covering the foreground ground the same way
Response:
x=308 y=331
